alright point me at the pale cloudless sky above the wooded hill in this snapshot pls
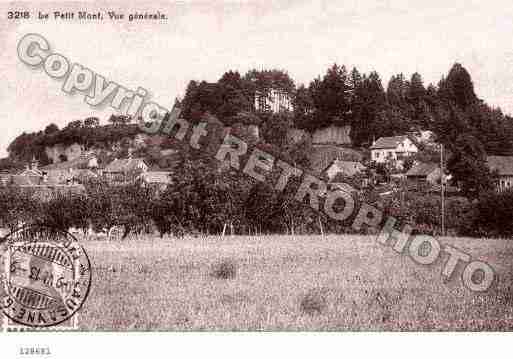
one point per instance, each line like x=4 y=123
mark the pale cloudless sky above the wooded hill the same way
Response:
x=202 y=40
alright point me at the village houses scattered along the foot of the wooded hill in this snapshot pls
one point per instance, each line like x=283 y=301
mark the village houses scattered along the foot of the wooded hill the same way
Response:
x=389 y=163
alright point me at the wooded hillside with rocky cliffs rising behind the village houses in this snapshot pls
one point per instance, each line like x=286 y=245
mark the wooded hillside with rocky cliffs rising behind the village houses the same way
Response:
x=342 y=108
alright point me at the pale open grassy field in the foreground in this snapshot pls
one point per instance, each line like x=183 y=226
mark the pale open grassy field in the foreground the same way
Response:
x=285 y=283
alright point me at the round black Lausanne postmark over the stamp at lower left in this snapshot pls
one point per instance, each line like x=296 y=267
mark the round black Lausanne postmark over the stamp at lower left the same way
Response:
x=46 y=276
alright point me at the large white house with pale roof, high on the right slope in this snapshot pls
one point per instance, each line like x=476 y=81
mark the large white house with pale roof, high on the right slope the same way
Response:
x=395 y=149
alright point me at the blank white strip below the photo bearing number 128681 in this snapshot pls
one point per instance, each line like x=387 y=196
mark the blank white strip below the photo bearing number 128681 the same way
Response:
x=258 y=345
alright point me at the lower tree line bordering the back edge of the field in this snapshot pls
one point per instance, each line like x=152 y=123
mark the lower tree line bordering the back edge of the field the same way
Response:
x=202 y=199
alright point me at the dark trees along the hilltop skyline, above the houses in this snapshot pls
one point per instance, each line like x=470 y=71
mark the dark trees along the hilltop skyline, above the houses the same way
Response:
x=469 y=128
